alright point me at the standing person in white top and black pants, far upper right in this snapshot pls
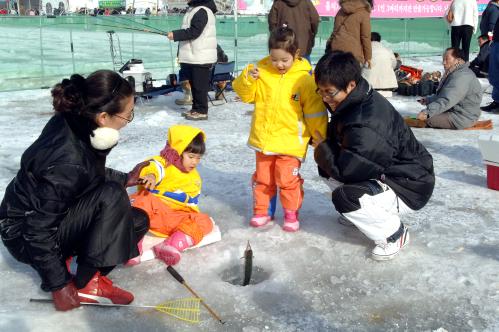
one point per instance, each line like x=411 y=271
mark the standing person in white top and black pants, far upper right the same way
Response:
x=462 y=15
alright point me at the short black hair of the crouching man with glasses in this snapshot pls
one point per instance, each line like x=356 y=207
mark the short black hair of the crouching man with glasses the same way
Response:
x=337 y=68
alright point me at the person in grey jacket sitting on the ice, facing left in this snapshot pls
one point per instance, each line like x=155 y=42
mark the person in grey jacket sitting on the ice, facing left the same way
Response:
x=456 y=105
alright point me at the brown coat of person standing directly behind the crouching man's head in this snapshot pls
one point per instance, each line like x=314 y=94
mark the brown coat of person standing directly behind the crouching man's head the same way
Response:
x=352 y=29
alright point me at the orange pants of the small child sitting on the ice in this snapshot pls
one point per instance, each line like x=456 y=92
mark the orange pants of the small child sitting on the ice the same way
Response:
x=165 y=220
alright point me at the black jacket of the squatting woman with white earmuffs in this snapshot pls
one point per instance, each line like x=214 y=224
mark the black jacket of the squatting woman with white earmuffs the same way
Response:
x=56 y=171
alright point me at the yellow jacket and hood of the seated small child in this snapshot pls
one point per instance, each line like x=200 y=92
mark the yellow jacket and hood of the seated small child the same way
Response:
x=178 y=190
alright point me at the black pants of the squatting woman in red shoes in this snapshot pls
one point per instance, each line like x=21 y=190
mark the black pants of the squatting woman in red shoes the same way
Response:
x=102 y=229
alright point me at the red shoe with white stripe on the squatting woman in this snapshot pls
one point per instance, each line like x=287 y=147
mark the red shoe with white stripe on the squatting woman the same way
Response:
x=101 y=290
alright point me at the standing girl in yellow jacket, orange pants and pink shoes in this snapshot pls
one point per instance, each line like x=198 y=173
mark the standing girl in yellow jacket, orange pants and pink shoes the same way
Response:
x=287 y=111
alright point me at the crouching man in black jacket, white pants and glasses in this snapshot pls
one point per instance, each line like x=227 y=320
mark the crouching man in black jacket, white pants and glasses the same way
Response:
x=376 y=166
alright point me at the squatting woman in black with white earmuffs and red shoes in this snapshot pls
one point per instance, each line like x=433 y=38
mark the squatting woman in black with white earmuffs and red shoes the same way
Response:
x=64 y=202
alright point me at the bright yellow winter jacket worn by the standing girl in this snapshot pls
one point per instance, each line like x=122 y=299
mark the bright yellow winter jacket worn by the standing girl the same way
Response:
x=287 y=108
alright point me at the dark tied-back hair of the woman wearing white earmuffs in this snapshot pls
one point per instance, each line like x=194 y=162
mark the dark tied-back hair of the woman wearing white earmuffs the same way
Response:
x=101 y=91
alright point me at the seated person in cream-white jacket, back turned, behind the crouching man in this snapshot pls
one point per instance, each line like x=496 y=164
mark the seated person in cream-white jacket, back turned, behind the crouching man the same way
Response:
x=381 y=75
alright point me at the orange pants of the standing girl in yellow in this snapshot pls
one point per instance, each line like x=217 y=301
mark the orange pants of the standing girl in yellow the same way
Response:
x=272 y=172
